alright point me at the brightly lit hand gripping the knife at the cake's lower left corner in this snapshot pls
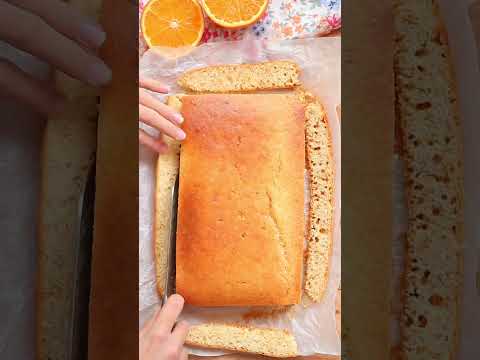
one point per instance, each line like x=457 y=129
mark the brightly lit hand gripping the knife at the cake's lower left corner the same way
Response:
x=160 y=338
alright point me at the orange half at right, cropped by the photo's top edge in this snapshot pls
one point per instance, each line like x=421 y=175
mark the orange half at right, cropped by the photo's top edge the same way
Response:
x=234 y=13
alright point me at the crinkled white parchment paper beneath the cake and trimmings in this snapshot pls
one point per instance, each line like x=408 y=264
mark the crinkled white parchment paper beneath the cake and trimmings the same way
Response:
x=313 y=325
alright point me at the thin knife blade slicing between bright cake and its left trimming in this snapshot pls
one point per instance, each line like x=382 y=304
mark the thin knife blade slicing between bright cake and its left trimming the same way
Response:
x=169 y=286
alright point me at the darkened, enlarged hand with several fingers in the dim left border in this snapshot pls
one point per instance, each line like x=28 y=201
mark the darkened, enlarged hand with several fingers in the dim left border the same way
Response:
x=57 y=34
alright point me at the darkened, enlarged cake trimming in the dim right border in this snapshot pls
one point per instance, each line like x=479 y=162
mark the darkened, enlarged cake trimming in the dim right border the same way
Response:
x=427 y=111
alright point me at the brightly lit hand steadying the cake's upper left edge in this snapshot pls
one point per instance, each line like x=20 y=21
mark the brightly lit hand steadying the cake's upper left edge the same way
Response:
x=158 y=115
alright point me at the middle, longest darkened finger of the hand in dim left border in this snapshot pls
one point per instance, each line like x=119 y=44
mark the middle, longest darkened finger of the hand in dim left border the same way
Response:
x=34 y=35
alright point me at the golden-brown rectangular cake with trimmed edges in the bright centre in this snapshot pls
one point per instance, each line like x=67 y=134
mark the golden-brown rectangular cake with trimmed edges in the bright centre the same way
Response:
x=240 y=229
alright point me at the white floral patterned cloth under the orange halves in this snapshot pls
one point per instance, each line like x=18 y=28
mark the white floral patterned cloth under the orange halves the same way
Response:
x=284 y=19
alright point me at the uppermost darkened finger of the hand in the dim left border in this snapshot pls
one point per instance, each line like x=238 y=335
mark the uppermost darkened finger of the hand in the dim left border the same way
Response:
x=65 y=19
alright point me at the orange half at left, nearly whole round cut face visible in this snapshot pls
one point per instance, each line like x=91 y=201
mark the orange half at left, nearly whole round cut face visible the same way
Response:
x=172 y=23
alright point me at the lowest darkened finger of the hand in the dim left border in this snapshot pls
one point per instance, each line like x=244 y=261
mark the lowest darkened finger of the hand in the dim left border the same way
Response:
x=17 y=84
